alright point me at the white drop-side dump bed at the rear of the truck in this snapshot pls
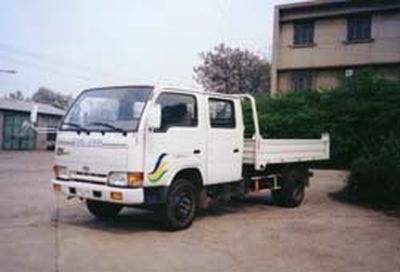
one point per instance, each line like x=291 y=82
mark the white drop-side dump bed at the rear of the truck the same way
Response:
x=261 y=152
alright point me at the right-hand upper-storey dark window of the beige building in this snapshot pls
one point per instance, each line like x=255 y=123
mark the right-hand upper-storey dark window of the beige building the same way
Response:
x=359 y=28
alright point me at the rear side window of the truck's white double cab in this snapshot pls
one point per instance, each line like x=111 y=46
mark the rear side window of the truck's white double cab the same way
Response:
x=222 y=113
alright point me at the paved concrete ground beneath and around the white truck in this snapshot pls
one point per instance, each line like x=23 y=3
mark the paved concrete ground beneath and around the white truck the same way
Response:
x=40 y=231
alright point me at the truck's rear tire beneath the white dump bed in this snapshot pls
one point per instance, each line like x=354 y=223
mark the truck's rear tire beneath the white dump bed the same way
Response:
x=292 y=190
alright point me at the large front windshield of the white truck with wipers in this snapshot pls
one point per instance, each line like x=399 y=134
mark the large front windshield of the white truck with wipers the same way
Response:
x=107 y=109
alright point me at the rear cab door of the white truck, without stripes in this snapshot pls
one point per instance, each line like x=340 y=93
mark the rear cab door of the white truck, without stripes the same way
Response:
x=225 y=140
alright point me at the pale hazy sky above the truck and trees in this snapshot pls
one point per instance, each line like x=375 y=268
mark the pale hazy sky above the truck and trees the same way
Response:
x=69 y=46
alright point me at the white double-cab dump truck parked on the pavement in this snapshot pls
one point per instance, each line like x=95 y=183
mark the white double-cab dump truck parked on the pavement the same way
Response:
x=171 y=149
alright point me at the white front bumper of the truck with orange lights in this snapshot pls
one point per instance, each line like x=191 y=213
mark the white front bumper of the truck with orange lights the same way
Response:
x=99 y=192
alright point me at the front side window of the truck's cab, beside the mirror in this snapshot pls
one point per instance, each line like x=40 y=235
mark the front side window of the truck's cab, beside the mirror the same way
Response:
x=177 y=110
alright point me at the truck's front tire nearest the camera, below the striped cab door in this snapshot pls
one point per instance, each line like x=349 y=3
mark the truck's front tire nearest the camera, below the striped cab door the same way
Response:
x=181 y=205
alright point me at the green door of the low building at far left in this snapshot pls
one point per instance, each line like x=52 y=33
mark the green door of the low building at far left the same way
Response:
x=12 y=138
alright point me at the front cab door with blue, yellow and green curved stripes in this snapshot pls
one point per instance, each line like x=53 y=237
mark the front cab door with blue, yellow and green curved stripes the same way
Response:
x=180 y=142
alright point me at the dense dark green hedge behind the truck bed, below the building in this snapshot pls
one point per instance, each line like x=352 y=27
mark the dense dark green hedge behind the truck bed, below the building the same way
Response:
x=362 y=116
